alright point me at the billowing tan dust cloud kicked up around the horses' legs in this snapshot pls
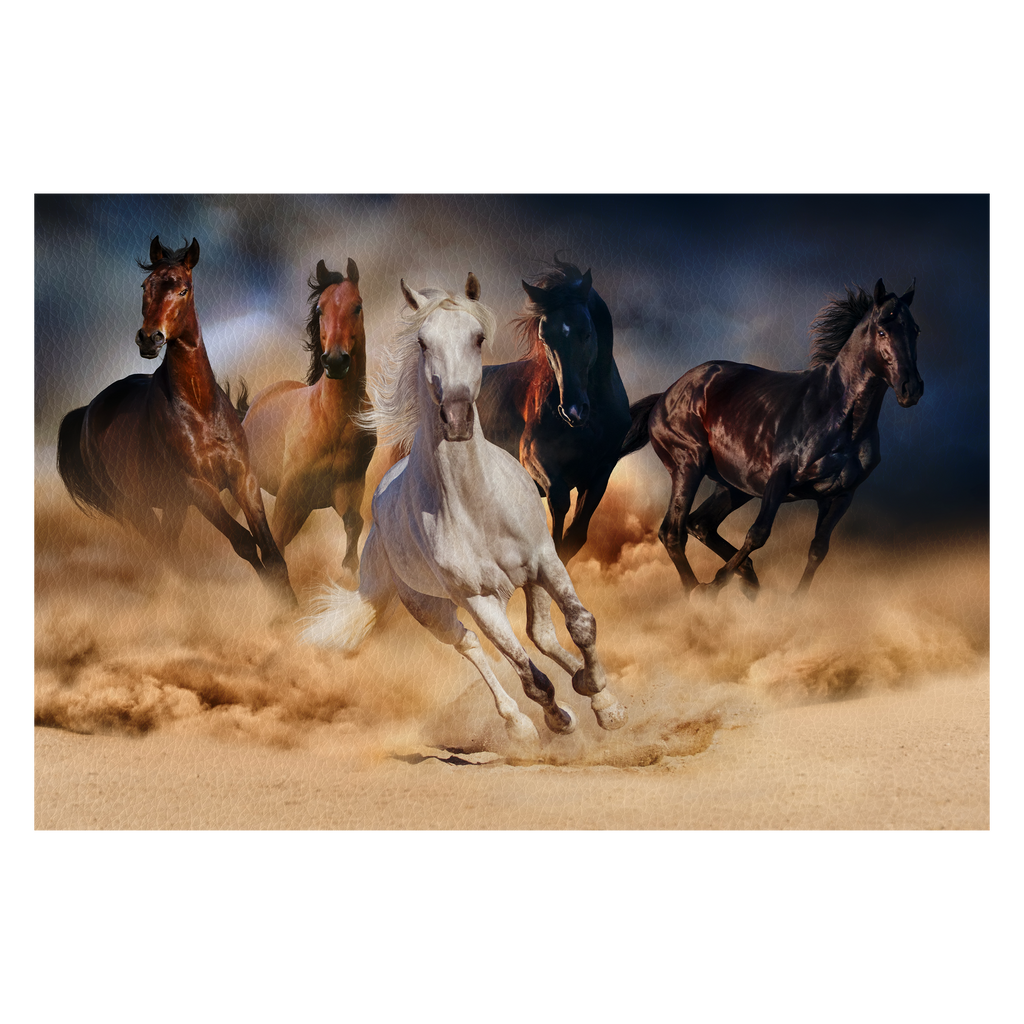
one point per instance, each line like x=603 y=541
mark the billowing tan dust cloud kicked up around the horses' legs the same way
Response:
x=122 y=645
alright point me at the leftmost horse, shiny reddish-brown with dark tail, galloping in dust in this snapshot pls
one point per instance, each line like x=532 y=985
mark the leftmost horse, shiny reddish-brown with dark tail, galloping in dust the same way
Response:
x=169 y=440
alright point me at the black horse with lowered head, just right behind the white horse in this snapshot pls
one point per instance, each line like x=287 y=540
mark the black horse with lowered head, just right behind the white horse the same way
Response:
x=562 y=410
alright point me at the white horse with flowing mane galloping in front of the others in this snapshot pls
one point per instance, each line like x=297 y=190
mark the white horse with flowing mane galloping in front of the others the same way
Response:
x=458 y=523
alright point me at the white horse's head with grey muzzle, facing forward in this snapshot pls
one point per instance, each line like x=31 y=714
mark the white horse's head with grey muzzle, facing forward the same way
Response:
x=450 y=332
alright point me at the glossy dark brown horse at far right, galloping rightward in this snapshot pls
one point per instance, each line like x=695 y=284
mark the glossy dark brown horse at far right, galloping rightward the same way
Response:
x=782 y=437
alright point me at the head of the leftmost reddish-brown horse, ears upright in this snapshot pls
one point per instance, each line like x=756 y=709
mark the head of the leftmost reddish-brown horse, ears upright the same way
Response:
x=168 y=306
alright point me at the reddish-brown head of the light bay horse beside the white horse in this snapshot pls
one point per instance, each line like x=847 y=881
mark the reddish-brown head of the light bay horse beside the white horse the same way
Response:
x=336 y=336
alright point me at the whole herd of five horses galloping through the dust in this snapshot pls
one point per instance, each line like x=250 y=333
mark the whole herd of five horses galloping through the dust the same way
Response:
x=457 y=522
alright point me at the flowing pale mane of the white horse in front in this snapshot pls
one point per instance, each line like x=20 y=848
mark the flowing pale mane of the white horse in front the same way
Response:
x=395 y=389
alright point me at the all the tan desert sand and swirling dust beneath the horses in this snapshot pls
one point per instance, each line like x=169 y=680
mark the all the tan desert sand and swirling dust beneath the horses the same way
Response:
x=185 y=702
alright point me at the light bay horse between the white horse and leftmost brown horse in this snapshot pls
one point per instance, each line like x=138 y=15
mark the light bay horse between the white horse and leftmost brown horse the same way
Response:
x=306 y=448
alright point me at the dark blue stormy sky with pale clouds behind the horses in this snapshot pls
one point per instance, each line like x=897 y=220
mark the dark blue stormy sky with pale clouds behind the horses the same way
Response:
x=689 y=277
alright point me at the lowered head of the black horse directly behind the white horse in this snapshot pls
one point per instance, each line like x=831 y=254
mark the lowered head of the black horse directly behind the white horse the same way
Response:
x=566 y=329
